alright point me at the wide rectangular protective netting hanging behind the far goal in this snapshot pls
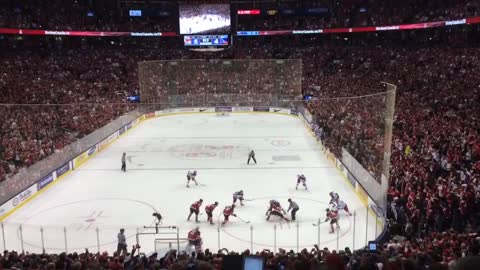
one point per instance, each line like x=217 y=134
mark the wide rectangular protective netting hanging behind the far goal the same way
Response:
x=219 y=82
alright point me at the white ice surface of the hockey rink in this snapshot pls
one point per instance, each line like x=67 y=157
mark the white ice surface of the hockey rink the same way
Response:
x=88 y=207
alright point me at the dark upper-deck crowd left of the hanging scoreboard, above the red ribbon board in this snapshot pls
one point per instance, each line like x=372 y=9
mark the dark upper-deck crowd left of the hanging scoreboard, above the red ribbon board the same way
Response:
x=78 y=16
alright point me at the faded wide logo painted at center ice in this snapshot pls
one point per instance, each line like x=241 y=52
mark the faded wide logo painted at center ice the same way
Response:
x=202 y=151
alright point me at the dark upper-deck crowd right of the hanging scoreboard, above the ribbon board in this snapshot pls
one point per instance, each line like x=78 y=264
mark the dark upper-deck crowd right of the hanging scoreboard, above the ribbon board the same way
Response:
x=365 y=13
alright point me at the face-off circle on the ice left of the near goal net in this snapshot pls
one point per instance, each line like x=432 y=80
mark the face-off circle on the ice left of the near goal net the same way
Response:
x=83 y=218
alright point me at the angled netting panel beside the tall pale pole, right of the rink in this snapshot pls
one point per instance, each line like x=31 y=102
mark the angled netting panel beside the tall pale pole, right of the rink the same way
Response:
x=358 y=130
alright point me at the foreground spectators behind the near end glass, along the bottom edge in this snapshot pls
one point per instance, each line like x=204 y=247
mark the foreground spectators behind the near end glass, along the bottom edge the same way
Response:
x=440 y=251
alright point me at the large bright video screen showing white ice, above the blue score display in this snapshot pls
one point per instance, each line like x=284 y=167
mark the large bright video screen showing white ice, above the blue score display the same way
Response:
x=204 y=19
